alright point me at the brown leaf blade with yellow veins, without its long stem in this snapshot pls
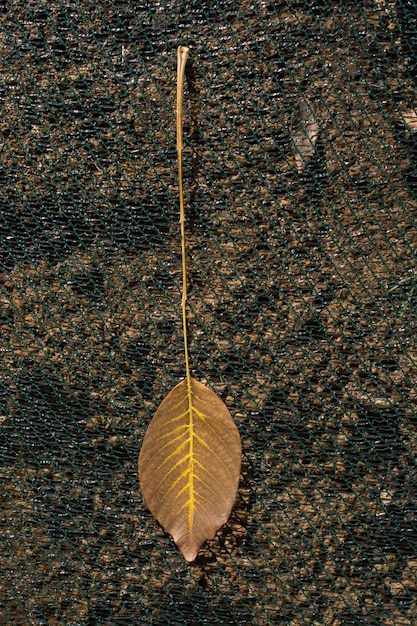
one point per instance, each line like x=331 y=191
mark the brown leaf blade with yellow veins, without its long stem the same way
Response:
x=189 y=465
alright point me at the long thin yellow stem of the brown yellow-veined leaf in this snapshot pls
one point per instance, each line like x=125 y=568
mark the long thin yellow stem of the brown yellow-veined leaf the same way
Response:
x=183 y=53
